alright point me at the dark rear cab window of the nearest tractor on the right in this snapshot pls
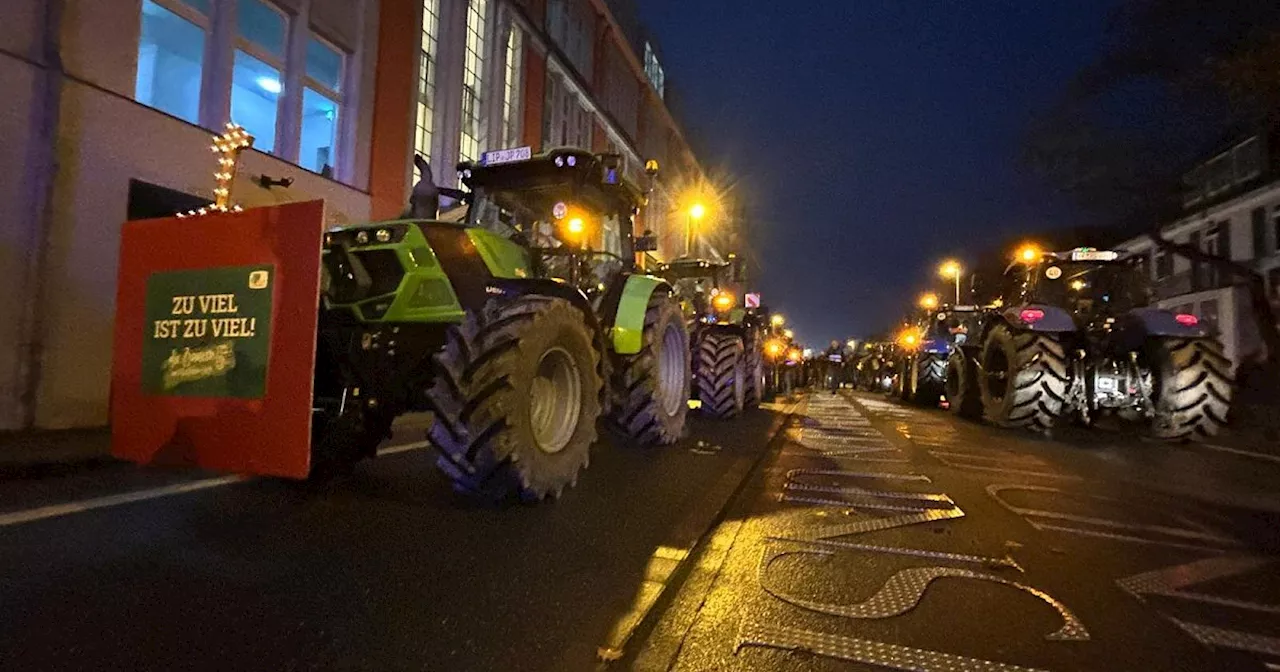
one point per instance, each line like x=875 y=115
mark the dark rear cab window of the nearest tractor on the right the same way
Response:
x=1092 y=289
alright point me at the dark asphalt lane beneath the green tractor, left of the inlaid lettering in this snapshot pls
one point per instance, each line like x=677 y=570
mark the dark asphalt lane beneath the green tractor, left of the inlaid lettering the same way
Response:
x=127 y=569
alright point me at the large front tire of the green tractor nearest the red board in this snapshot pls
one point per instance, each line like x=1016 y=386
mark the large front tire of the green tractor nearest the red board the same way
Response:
x=506 y=374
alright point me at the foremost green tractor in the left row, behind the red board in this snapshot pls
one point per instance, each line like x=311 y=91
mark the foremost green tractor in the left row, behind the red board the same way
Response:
x=518 y=319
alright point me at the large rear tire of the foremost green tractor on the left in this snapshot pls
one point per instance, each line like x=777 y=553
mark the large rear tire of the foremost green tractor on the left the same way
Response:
x=651 y=388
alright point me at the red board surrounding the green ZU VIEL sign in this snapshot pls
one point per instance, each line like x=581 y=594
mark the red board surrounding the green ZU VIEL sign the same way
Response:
x=267 y=436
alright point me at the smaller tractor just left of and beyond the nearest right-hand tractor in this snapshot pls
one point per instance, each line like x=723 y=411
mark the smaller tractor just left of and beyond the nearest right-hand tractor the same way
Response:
x=927 y=348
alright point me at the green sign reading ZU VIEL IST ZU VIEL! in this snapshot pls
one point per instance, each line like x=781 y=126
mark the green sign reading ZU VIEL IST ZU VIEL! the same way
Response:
x=208 y=332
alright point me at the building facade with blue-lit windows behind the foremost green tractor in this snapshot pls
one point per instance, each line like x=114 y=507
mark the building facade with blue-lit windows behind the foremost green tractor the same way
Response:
x=112 y=103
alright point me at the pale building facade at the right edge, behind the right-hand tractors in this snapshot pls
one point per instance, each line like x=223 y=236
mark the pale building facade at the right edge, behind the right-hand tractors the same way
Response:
x=1232 y=211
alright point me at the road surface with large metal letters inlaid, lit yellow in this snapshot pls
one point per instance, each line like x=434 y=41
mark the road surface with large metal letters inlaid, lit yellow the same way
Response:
x=885 y=537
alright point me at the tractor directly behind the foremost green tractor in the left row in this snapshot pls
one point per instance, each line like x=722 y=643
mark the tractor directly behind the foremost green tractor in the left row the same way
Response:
x=729 y=332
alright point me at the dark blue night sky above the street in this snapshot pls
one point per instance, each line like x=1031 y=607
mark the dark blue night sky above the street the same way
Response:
x=872 y=138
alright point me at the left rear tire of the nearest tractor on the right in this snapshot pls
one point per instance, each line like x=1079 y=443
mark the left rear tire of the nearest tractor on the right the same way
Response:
x=1025 y=378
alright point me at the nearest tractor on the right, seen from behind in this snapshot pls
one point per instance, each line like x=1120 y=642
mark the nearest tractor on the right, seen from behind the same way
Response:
x=1073 y=339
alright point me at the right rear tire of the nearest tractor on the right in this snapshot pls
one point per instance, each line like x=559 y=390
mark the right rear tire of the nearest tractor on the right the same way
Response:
x=1192 y=387
